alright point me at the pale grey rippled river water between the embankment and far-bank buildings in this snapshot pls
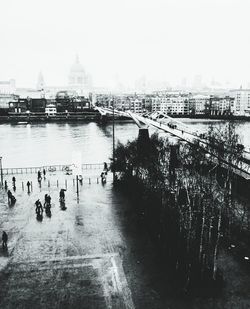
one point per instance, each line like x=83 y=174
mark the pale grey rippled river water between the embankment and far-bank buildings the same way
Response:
x=56 y=143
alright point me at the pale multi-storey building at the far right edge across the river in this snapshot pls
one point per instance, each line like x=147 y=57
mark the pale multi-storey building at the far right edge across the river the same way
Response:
x=241 y=102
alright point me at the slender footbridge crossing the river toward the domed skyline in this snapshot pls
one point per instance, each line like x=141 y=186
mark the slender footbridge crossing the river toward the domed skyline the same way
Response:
x=185 y=133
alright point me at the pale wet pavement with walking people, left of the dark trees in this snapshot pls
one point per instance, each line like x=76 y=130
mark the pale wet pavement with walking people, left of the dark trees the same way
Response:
x=70 y=259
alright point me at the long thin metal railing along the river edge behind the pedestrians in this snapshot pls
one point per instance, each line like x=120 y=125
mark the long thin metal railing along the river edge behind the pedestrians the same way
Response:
x=48 y=168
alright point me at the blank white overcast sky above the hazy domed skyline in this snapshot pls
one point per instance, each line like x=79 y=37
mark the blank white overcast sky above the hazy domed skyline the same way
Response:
x=125 y=40
